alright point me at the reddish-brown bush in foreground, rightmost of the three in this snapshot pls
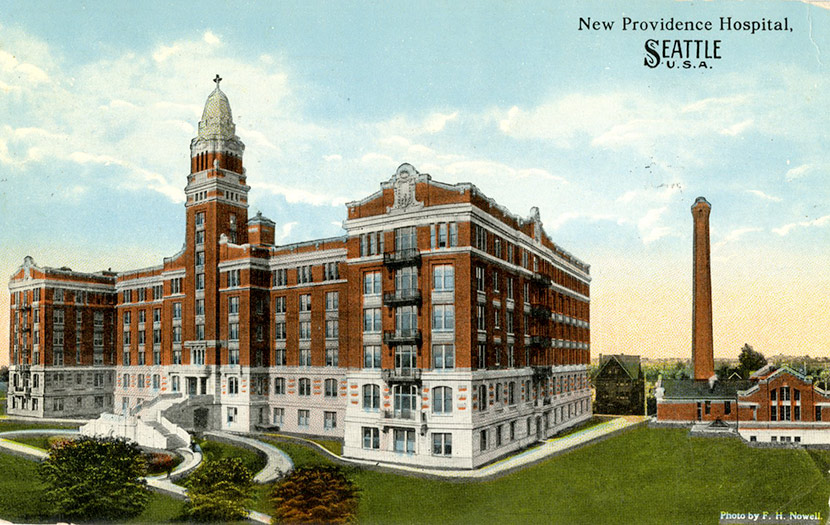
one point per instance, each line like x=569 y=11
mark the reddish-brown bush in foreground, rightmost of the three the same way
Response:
x=315 y=495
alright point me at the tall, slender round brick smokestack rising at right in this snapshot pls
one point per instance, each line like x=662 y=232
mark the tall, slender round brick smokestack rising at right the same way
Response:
x=702 y=348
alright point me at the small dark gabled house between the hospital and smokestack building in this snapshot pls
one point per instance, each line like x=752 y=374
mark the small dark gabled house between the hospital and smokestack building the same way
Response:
x=620 y=385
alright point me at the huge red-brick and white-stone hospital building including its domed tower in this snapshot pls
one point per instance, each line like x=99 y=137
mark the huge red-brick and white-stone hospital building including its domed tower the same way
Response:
x=439 y=330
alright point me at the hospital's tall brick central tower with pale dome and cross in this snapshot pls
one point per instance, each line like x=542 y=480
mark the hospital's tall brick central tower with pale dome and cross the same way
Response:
x=217 y=212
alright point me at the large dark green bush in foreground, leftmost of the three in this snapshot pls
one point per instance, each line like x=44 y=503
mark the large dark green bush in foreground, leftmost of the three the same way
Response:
x=93 y=478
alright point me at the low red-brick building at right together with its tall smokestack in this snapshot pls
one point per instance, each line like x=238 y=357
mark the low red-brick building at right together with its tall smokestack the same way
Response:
x=775 y=405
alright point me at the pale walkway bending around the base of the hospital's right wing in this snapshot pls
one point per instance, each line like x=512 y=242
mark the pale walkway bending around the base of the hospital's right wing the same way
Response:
x=551 y=447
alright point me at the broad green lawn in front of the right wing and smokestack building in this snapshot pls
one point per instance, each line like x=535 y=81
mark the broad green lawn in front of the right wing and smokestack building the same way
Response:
x=642 y=476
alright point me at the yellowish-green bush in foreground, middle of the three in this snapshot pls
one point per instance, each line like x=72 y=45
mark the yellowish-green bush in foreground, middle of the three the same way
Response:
x=220 y=491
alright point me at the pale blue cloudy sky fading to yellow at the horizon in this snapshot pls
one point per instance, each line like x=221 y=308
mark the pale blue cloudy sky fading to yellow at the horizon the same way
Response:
x=99 y=102
